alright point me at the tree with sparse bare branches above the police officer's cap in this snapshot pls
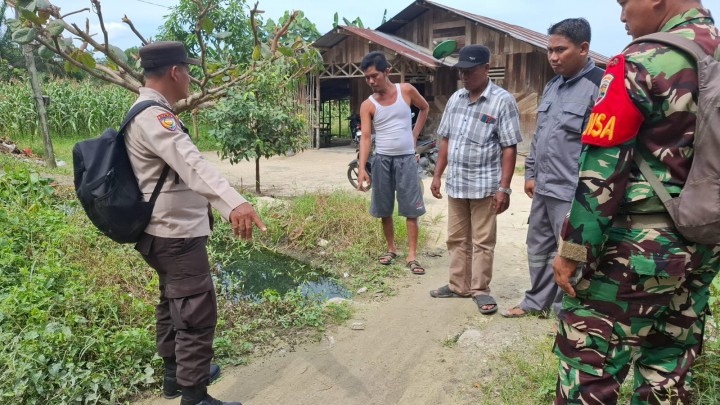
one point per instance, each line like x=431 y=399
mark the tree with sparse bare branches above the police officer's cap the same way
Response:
x=44 y=25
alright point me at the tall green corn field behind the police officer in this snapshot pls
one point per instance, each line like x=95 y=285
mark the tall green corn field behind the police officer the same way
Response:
x=76 y=109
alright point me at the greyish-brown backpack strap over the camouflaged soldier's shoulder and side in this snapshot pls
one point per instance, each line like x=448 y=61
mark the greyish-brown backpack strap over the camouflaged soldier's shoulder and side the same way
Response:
x=692 y=49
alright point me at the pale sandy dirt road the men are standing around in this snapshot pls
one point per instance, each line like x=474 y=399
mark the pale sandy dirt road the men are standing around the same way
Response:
x=402 y=356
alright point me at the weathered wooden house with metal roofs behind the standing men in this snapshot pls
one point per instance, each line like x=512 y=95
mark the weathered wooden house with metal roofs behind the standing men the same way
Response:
x=518 y=62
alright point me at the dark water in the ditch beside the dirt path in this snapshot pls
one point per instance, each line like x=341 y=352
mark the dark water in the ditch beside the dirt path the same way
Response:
x=246 y=274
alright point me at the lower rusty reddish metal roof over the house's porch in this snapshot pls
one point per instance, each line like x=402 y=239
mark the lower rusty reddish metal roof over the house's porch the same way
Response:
x=400 y=46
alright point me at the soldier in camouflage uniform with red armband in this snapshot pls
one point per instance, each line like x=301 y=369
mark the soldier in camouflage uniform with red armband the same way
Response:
x=643 y=291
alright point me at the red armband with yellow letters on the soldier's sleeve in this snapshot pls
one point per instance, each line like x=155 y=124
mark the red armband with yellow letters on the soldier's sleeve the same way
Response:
x=614 y=119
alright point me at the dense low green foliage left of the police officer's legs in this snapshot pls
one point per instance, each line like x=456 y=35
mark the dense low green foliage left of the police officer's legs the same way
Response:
x=66 y=340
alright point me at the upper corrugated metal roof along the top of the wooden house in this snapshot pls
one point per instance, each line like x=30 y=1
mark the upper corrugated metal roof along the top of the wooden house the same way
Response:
x=523 y=34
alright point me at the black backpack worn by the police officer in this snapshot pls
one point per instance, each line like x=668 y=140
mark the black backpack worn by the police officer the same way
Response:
x=106 y=185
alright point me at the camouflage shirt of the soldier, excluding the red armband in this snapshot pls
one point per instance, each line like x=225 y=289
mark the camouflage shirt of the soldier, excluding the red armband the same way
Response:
x=662 y=84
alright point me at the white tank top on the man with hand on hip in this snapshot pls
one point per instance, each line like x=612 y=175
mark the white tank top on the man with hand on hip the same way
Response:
x=393 y=127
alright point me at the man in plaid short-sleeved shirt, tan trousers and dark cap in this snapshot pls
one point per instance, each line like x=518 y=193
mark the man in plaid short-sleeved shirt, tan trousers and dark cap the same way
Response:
x=479 y=131
